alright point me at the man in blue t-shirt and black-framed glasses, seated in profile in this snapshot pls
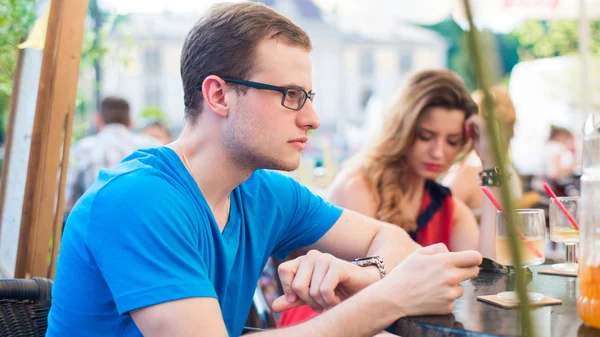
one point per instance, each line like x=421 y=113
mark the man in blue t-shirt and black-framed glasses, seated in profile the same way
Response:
x=171 y=242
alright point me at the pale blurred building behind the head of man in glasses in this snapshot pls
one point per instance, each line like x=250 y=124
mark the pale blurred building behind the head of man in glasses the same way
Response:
x=349 y=68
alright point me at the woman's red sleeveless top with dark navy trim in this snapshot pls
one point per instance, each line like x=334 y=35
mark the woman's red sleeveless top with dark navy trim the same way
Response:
x=434 y=225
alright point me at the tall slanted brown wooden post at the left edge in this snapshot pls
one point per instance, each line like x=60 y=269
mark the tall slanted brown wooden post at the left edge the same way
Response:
x=51 y=138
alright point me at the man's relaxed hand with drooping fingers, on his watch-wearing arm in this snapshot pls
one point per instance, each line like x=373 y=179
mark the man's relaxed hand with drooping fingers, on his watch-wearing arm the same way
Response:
x=319 y=280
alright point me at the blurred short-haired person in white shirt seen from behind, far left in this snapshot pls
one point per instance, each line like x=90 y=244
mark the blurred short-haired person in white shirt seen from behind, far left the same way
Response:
x=113 y=142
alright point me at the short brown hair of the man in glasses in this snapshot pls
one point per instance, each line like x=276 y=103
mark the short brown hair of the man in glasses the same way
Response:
x=223 y=43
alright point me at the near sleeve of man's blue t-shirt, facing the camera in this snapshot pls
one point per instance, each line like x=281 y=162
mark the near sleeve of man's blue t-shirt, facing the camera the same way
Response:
x=145 y=243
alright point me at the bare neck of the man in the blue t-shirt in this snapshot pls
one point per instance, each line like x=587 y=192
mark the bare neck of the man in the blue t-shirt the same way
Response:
x=211 y=166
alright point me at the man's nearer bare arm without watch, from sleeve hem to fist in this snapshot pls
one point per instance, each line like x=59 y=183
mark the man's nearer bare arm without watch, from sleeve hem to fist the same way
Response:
x=432 y=274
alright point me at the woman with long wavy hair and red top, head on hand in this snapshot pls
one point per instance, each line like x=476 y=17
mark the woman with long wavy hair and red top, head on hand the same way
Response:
x=393 y=180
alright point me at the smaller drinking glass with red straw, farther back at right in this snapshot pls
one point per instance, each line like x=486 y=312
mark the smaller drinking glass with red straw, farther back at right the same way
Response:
x=561 y=230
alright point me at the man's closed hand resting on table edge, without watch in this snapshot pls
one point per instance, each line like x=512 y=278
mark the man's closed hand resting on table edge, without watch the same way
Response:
x=428 y=280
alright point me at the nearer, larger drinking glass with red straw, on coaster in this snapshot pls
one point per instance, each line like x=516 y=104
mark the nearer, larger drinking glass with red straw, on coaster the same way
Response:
x=530 y=225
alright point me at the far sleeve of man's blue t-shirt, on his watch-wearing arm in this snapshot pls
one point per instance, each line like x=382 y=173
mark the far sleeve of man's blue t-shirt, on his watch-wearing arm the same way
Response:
x=308 y=216
